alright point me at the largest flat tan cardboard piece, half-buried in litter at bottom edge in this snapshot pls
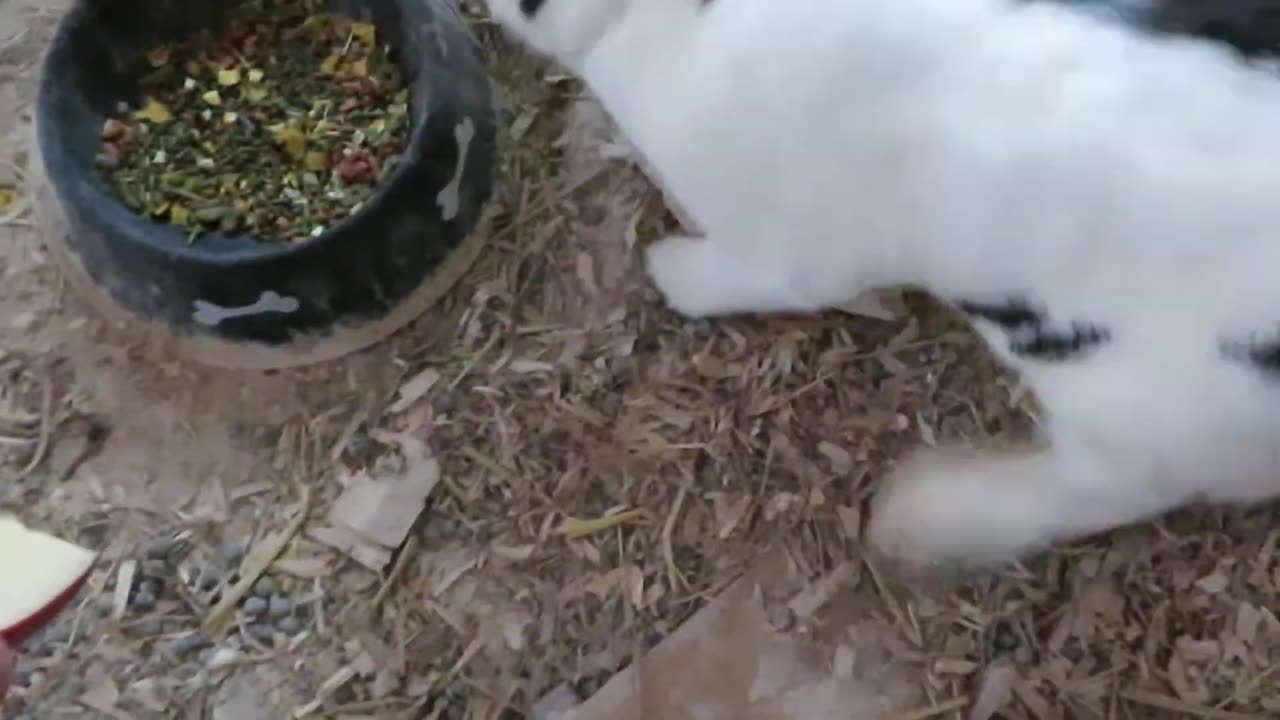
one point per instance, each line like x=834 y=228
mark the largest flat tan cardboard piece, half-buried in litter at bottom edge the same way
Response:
x=730 y=663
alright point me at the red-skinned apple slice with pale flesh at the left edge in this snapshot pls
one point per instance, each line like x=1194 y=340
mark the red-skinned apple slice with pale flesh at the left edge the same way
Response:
x=39 y=576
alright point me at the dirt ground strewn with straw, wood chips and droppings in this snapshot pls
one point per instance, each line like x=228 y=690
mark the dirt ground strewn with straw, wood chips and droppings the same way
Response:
x=596 y=472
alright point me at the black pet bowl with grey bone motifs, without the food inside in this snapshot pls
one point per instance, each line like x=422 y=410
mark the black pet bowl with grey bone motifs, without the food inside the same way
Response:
x=237 y=289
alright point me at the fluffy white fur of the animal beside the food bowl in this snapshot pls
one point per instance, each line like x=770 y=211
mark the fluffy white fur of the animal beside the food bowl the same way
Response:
x=979 y=149
